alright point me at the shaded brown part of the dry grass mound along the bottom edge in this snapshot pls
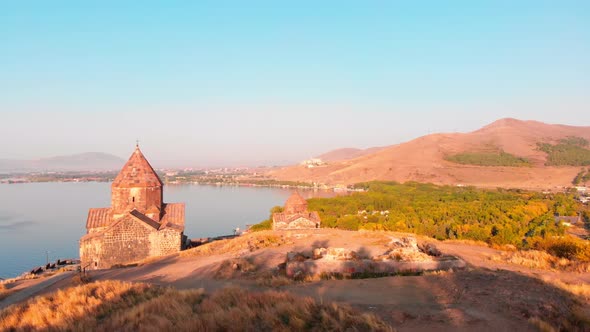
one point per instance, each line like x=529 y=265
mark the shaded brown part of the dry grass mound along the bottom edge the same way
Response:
x=270 y=311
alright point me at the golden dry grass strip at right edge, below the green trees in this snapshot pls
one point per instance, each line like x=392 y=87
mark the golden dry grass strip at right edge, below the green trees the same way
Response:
x=542 y=260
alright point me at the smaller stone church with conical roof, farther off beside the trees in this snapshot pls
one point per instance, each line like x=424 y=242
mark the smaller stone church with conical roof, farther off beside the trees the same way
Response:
x=295 y=215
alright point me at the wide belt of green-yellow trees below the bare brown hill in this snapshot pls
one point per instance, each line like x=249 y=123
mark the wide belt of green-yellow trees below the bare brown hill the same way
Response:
x=498 y=217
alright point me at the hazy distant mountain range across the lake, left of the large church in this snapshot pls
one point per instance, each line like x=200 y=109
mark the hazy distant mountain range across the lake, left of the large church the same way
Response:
x=90 y=161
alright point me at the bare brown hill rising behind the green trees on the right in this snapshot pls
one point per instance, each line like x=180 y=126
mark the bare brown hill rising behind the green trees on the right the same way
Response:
x=423 y=159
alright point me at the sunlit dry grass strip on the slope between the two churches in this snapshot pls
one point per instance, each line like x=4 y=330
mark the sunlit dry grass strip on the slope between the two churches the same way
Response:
x=247 y=243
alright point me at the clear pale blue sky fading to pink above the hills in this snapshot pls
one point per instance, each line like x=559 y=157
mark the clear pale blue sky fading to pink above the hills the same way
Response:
x=248 y=82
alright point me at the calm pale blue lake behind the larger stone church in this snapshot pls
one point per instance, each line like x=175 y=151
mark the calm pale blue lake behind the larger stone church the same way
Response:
x=47 y=219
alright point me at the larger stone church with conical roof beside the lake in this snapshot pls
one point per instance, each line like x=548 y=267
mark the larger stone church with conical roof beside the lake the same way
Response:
x=138 y=224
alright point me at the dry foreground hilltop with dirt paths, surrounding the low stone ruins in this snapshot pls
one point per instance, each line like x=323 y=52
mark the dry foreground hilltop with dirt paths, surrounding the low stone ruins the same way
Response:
x=494 y=292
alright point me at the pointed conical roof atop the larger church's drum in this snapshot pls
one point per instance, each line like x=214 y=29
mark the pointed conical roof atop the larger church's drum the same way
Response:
x=137 y=172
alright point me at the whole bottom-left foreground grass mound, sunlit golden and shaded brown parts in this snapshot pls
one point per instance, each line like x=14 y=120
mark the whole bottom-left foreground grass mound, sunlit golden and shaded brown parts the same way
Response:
x=117 y=306
